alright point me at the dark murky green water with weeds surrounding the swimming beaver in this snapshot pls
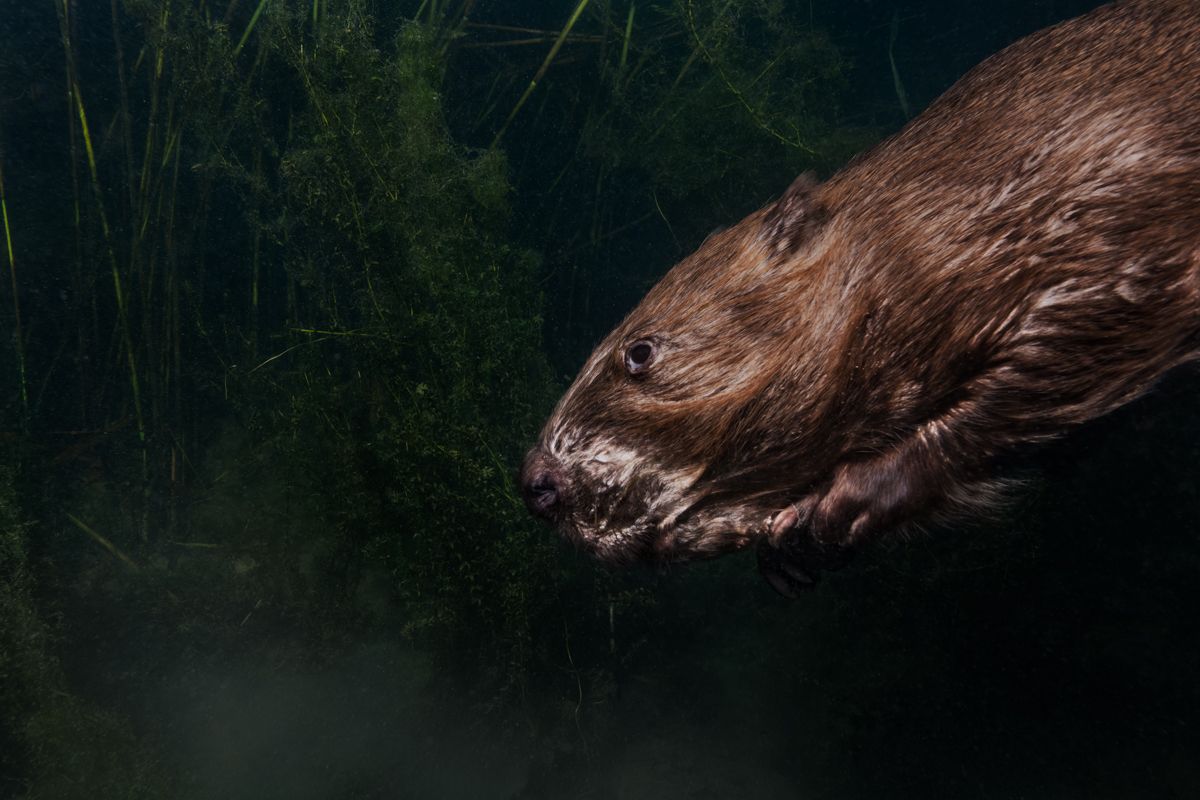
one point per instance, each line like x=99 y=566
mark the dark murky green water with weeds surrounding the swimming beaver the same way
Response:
x=296 y=286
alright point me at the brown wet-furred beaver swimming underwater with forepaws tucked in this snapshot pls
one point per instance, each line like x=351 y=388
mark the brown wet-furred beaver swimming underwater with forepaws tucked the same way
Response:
x=855 y=358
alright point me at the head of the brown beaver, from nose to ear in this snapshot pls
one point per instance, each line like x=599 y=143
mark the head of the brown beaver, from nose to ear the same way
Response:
x=668 y=446
